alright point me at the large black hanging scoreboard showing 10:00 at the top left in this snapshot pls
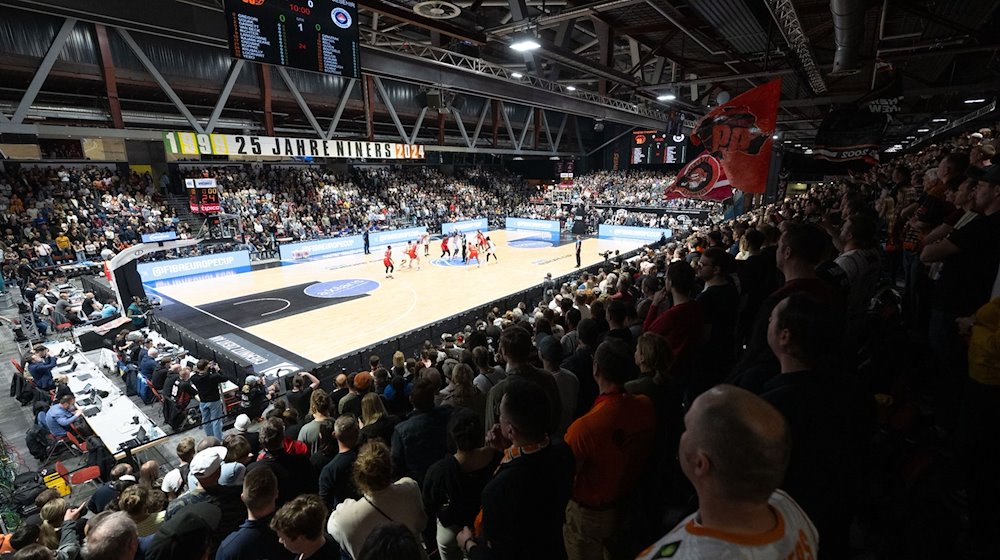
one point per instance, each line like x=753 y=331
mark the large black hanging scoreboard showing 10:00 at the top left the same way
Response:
x=315 y=35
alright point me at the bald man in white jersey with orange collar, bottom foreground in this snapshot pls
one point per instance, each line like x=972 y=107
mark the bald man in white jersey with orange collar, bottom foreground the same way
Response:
x=735 y=451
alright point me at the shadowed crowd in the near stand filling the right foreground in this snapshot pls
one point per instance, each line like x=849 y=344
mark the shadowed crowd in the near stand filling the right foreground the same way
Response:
x=768 y=387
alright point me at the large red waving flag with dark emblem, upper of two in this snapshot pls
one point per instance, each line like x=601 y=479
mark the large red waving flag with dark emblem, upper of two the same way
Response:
x=738 y=134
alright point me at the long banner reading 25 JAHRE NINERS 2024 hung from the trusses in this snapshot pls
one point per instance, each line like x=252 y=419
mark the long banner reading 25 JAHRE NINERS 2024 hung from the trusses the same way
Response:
x=194 y=144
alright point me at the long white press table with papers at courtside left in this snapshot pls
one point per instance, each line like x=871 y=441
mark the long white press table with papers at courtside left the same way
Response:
x=119 y=418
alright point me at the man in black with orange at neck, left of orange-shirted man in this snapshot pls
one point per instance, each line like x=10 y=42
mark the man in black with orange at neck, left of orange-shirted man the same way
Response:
x=524 y=506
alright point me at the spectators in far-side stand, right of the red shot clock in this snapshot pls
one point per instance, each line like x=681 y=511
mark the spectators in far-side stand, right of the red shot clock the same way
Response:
x=300 y=203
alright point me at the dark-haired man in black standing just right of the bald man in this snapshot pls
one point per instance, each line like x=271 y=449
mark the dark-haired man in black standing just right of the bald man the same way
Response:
x=829 y=416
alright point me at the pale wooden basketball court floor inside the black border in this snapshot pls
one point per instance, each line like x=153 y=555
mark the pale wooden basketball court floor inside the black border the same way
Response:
x=410 y=300
